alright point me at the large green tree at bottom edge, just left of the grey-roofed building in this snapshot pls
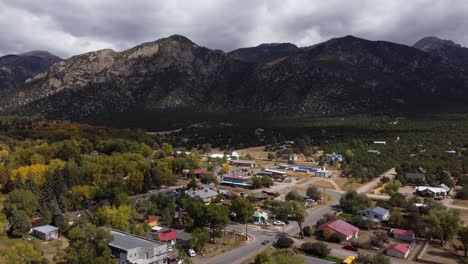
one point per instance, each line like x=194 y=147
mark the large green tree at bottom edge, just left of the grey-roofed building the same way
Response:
x=88 y=244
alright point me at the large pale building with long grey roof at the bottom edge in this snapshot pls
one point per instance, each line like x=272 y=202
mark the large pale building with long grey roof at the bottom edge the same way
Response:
x=128 y=248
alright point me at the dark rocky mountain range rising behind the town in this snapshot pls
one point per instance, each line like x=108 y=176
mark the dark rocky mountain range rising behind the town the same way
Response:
x=340 y=76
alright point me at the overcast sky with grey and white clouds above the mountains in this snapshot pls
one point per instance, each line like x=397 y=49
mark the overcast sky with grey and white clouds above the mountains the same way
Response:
x=68 y=27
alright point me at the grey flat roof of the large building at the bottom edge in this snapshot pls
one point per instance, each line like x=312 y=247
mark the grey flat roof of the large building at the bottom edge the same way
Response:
x=127 y=241
